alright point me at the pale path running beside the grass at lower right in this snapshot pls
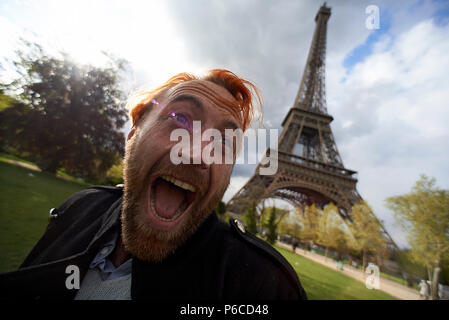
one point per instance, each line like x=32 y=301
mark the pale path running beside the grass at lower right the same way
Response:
x=393 y=288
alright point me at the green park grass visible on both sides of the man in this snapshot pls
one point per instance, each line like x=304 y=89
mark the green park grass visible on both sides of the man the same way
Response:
x=26 y=195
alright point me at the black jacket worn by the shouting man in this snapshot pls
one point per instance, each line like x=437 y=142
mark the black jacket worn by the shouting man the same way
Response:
x=220 y=261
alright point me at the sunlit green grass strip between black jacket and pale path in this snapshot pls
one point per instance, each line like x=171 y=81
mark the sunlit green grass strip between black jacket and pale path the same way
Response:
x=323 y=283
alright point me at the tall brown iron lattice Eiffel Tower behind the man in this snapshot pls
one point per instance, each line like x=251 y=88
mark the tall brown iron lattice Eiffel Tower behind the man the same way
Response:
x=310 y=168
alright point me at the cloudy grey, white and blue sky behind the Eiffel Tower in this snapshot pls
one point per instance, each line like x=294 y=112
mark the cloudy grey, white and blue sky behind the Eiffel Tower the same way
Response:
x=386 y=88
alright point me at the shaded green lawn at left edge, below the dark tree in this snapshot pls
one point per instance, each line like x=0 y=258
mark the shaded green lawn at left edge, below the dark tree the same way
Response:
x=25 y=201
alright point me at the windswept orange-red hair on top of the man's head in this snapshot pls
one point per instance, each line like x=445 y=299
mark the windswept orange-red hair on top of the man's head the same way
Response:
x=239 y=88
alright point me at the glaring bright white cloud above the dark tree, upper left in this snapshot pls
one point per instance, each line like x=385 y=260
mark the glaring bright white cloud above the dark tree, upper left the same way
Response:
x=141 y=32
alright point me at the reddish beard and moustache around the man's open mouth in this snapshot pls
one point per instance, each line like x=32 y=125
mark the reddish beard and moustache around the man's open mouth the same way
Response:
x=140 y=237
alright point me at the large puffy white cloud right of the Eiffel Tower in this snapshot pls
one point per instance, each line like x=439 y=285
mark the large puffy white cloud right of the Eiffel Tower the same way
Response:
x=401 y=95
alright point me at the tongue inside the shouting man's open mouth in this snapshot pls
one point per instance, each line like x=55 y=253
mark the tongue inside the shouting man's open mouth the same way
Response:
x=167 y=198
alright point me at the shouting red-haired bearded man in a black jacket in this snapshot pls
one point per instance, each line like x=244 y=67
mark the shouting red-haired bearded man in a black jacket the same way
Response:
x=158 y=237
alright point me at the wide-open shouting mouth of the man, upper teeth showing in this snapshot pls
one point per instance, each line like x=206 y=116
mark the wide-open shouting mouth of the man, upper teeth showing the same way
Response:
x=170 y=198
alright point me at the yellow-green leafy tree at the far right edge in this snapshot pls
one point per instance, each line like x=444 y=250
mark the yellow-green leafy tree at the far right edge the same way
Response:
x=424 y=214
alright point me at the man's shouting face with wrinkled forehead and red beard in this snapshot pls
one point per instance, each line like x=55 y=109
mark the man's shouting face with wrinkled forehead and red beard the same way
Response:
x=164 y=203
